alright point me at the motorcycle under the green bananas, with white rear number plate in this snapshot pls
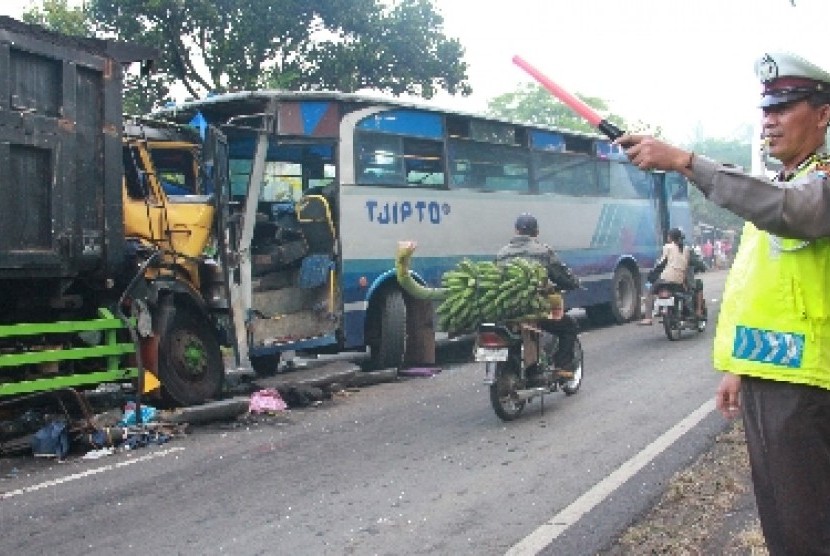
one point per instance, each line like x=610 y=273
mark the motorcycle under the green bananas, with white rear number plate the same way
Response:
x=509 y=352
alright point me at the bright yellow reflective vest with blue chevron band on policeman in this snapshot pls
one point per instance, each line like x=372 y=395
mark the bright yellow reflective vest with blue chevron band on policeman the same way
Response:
x=774 y=322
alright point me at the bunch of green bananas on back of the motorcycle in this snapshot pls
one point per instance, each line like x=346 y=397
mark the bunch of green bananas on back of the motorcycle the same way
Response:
x=484 y=291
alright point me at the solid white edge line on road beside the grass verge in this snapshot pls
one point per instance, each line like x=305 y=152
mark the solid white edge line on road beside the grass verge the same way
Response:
x=555 y=526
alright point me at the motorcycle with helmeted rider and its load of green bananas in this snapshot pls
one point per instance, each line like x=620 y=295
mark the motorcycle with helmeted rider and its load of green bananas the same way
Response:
x=528 y=344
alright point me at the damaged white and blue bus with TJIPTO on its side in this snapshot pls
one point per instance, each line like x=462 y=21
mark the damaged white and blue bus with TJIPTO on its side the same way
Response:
x=324 y=185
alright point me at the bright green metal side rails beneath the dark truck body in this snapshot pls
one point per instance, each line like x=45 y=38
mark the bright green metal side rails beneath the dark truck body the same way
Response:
x=110 y=353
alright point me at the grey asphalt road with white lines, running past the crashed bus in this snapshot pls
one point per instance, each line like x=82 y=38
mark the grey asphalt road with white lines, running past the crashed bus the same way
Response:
x=419 y=466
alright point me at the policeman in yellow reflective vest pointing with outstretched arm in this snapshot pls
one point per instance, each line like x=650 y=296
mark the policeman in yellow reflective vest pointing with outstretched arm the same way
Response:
x=774 y=344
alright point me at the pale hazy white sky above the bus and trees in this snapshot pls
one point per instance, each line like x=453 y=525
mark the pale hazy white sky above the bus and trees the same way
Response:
x=686 y=65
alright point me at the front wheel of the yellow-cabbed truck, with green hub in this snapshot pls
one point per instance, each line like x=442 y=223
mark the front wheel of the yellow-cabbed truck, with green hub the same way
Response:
x=191 y=369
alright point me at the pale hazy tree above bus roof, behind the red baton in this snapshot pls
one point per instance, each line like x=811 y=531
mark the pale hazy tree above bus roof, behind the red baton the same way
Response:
x=533 y=104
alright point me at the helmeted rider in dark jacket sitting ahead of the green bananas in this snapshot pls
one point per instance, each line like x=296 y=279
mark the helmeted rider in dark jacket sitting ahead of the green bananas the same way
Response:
x=525 y=244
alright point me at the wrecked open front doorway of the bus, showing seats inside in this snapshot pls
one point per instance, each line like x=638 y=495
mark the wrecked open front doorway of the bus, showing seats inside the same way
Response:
x=285 y=244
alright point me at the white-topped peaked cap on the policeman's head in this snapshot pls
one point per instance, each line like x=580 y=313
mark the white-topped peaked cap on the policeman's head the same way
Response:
x=788 y=78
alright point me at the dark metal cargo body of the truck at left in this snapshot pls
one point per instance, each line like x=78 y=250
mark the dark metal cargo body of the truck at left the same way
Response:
x=61 y=223
